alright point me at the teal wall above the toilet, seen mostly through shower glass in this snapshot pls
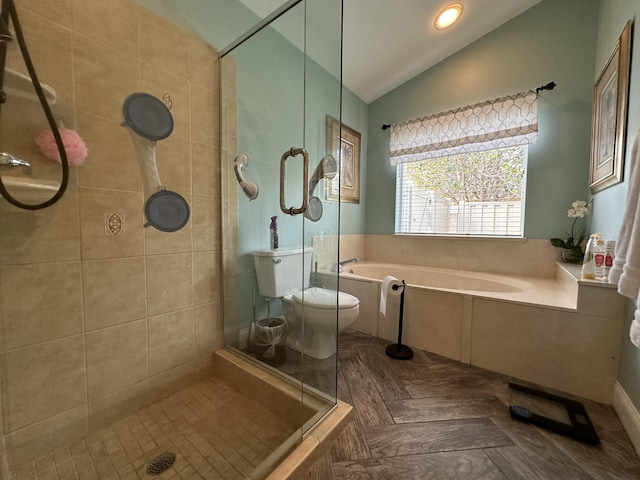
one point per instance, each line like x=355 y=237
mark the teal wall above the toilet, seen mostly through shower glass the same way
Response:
x=222 y=21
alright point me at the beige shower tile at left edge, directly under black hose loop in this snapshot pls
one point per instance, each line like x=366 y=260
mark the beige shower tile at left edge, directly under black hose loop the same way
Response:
x=48 y=235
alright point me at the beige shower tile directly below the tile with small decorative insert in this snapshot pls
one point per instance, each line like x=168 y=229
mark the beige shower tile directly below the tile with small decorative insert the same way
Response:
x=114 y=291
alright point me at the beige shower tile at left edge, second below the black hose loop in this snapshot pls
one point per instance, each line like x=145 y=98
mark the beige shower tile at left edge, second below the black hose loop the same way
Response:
x=40 y=302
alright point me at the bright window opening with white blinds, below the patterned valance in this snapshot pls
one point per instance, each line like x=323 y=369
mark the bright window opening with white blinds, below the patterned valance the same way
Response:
x=480 y=193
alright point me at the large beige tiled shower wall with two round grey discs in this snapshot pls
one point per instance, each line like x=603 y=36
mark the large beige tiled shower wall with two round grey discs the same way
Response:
x=96 y=324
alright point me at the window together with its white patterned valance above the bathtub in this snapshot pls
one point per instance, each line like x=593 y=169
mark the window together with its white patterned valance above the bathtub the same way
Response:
x=463 y=172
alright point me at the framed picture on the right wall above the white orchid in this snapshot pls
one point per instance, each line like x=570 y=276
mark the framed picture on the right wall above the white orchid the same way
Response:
x=609 y=121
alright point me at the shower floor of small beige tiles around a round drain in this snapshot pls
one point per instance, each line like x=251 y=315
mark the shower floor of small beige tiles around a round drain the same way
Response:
x=215 y=432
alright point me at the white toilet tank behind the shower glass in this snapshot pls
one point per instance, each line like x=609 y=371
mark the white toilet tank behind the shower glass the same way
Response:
x=282 y=271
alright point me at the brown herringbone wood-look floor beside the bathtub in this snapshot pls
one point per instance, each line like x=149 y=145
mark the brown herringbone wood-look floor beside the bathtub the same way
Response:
x=434 y=418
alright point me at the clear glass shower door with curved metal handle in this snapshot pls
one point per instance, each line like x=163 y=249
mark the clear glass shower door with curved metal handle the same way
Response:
x=281 y=87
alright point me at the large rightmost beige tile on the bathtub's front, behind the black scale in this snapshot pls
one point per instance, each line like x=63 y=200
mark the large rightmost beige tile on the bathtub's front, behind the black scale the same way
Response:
x=567 y=351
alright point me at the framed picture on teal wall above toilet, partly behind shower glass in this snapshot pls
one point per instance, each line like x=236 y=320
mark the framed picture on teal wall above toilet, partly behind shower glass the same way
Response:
x=344 y=144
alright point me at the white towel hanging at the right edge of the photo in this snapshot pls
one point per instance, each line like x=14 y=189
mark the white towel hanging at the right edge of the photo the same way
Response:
x=625 y=270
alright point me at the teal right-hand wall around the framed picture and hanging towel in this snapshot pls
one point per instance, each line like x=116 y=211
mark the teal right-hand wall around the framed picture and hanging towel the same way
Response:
x=609 y=204
